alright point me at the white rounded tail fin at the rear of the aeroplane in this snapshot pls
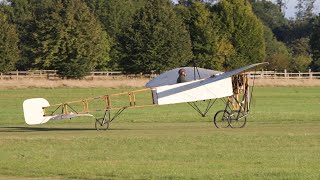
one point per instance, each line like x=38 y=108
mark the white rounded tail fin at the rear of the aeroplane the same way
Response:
x=33 y=111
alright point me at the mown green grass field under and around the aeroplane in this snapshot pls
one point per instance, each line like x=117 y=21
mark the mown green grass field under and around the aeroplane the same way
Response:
x=280 y=141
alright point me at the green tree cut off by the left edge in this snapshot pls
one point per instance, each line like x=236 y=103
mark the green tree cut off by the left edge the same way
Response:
x=9 y=52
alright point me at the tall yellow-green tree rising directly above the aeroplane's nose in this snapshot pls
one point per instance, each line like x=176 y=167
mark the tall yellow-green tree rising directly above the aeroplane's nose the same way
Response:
x=243 y=29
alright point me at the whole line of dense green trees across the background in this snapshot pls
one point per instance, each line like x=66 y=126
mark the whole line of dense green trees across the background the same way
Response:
x=76 y=37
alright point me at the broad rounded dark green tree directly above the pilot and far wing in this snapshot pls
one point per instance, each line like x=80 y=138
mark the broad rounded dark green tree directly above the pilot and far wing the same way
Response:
x=157 y=40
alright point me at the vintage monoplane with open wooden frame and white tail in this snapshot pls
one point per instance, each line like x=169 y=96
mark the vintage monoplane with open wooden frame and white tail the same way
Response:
x=206 y=85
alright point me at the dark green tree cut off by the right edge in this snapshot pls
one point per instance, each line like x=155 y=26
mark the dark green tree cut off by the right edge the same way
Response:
x=315 y=45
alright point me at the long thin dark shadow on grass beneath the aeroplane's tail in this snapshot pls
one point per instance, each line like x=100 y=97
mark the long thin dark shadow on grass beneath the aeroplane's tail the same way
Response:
x=35 y=129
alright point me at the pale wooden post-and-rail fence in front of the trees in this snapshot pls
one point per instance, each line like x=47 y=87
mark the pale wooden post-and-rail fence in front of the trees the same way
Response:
x=52 y=74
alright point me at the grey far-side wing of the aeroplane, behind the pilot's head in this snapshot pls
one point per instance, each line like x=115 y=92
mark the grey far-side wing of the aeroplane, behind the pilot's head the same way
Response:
x=170 y=77
